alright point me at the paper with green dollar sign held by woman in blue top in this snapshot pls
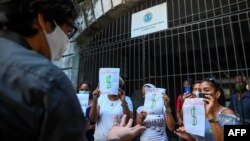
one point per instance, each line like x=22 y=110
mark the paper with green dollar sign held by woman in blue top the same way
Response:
x=194 y=116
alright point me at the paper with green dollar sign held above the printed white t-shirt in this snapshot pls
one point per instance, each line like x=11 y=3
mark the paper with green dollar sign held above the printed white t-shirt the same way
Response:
x=153 y=103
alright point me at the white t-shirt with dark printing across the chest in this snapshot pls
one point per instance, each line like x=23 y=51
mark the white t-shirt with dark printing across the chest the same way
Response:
x=155 y=127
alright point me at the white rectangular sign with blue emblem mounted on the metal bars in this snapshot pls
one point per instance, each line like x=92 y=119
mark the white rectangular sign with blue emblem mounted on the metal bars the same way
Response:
x=149 y=20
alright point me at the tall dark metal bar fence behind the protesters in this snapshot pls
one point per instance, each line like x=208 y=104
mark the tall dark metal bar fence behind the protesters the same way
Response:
x=205 y=38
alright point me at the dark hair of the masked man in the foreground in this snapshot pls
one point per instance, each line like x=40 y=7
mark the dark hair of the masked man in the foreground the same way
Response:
x=19 y=15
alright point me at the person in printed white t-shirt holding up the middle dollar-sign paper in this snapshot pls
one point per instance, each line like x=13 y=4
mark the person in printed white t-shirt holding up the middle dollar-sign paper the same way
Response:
x=155 y=122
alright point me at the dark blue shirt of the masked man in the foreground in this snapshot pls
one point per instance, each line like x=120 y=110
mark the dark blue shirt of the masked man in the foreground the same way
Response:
x=37 y=100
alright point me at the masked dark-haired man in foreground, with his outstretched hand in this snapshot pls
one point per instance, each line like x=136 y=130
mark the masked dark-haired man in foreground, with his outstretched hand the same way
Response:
x=37 y=100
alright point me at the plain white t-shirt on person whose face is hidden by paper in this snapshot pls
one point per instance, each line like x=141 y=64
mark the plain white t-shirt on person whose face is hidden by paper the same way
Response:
x=108 y=109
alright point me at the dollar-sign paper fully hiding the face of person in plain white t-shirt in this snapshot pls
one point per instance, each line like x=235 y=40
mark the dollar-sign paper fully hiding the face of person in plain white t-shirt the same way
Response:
x=109 y=80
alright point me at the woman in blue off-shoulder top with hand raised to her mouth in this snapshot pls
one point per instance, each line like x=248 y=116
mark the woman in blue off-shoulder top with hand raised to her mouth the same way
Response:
x=216 y=115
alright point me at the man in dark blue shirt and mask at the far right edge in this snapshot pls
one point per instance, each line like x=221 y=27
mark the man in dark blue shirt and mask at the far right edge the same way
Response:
x=240 y=101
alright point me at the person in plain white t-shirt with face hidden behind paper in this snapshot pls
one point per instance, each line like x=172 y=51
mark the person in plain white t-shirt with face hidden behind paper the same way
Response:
x=105 y=107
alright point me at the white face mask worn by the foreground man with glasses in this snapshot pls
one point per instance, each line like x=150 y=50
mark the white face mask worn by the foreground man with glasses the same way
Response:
x=58 y=42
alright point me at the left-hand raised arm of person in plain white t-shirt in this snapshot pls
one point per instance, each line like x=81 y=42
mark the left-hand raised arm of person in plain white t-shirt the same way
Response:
x=94 y=111
